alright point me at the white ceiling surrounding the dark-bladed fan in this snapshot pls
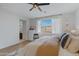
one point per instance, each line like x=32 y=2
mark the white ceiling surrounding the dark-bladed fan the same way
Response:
x=22 y=9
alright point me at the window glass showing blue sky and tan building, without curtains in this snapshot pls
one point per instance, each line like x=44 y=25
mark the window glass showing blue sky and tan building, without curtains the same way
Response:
x=46 y=25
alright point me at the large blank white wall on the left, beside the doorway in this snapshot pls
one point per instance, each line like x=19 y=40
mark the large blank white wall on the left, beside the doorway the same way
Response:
x=9 y=29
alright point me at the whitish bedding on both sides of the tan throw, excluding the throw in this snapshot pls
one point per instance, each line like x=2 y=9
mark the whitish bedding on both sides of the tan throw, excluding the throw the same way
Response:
x=31 y=48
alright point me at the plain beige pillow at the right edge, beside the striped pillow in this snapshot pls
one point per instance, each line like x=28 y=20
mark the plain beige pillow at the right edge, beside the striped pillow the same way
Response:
x=74 y=44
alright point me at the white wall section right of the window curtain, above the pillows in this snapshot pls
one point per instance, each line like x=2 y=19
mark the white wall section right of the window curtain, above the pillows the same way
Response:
x=68 y=21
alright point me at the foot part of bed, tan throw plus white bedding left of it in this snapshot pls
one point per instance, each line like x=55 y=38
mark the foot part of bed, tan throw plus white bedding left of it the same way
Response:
x=45 y=46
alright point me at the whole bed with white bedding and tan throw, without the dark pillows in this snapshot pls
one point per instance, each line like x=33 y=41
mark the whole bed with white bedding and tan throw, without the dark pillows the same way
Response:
x=46 y=46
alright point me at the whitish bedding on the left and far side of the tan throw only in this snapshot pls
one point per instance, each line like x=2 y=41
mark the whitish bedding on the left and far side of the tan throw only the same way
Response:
x=31 y=48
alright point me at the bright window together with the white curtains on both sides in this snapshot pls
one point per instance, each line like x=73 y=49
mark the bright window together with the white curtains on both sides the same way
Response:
x=49 y=26
